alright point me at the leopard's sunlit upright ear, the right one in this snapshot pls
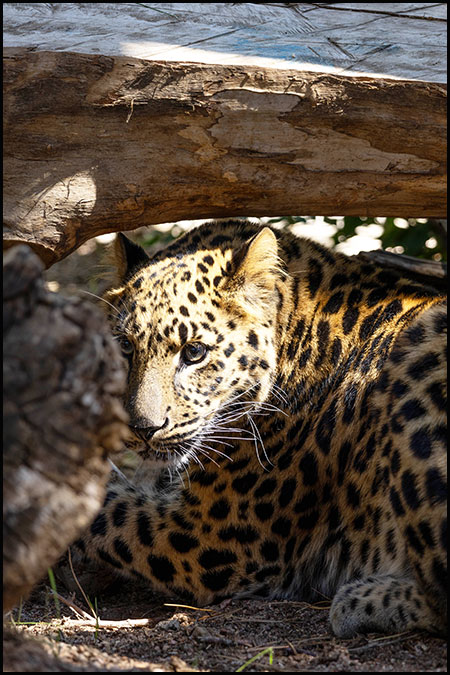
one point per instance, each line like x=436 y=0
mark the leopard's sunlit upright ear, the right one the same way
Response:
x=257 y=267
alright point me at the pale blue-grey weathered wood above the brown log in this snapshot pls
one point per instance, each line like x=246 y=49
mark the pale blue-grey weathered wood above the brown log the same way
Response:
x=406 y=40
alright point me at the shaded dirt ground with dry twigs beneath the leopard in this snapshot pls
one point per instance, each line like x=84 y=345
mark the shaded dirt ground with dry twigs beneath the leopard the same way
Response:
x=239 y=635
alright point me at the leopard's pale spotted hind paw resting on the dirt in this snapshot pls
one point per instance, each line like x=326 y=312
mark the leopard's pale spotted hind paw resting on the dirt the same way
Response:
x=381 y=604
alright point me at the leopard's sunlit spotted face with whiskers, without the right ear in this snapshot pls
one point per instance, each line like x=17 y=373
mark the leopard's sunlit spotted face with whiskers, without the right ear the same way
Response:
x=200 y=356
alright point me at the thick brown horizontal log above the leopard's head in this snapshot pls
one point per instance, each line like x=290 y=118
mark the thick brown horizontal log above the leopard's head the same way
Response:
x=97 y=144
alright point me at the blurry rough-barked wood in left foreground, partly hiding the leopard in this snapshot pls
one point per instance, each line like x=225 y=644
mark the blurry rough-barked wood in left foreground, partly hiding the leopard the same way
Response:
x=63 y=379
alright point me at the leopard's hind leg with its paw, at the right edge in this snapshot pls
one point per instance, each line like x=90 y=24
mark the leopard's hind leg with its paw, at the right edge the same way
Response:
x=414 y=459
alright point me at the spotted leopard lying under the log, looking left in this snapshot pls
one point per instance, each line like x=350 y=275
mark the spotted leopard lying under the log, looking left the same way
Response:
x=288 y=406
